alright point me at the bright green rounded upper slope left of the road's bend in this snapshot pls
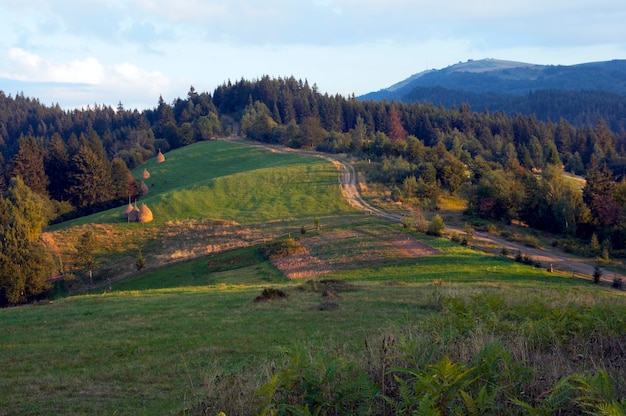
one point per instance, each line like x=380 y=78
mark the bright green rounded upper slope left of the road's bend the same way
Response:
x=222 y=180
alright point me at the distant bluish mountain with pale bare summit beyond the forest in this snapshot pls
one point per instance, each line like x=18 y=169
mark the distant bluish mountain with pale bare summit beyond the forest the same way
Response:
x=581 y=94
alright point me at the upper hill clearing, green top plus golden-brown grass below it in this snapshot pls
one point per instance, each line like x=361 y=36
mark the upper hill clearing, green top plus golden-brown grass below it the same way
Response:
x=206 y=198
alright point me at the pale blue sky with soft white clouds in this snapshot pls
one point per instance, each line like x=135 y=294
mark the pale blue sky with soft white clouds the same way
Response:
x=77 y=53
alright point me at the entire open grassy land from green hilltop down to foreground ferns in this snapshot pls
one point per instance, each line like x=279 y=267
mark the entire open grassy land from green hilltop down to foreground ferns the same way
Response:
x=185 y=335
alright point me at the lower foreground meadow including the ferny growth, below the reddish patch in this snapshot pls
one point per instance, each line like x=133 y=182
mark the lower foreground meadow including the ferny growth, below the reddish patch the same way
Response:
x=190 y=339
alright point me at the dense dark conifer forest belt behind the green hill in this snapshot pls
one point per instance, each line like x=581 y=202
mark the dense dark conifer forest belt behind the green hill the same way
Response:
x=507 y=167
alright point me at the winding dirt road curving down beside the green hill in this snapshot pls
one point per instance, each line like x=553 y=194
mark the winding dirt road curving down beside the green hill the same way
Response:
x=348 y=181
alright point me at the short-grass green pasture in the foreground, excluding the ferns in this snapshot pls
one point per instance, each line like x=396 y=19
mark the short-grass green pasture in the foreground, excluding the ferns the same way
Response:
x=151 y=345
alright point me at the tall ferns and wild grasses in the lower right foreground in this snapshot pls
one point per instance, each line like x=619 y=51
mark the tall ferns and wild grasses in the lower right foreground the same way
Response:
x=487 y=352
